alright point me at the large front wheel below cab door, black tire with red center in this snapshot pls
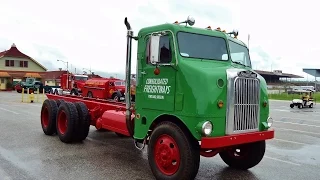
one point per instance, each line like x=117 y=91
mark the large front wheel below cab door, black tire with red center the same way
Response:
x=188 y=159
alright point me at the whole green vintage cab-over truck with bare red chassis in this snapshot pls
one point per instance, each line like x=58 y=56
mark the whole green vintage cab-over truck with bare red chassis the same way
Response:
x=193 y=98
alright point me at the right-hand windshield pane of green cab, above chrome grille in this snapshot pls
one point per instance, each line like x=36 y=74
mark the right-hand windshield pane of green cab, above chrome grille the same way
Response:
x=239 y=53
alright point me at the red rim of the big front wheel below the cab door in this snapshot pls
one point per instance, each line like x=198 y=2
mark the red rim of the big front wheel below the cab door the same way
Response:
x=167 y=155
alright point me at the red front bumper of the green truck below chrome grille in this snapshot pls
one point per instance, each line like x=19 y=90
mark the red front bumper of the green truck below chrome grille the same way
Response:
x=224 y=141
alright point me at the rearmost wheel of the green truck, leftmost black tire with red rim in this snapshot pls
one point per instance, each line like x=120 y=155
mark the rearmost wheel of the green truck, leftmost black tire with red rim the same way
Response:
x=48 y=116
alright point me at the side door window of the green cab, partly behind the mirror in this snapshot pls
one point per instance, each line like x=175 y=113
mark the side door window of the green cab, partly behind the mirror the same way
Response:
x=164 y=50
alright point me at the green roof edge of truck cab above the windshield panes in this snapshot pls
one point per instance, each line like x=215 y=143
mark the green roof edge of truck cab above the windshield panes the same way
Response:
x=182 y=27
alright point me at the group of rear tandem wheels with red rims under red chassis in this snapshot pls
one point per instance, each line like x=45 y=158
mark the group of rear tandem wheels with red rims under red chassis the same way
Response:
x=70 y=121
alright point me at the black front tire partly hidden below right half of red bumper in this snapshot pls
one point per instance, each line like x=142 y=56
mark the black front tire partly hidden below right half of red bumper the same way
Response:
x=253 y=154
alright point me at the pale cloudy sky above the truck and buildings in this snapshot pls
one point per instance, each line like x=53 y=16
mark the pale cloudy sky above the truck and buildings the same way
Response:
x=283 y=36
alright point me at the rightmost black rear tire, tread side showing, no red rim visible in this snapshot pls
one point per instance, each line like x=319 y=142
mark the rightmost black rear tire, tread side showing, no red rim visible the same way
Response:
x=84 y=121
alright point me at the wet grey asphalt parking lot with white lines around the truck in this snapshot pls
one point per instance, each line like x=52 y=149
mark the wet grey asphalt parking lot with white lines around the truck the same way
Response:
x=26 y=153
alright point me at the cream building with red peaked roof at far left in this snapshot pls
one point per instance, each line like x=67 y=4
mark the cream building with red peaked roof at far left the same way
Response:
x=16 y=66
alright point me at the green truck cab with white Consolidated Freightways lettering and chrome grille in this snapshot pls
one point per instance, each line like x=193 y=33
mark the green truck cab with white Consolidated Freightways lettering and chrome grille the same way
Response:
x=198 y=75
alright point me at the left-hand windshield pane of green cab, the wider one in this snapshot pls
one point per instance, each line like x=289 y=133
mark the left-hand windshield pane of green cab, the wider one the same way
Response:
x=201 y=46
